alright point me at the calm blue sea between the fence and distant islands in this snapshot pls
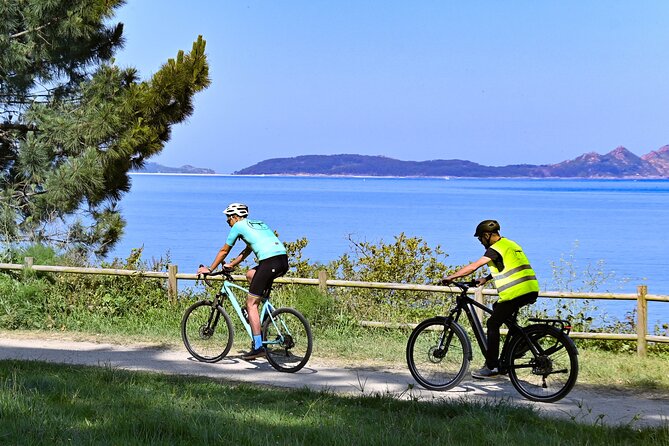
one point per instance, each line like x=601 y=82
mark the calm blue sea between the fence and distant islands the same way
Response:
x=616 y=227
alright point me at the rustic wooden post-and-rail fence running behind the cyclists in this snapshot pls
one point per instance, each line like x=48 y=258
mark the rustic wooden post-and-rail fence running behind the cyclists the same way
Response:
x=172 y=276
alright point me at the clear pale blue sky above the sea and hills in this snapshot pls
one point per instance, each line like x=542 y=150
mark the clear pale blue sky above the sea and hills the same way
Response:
x=493 y=82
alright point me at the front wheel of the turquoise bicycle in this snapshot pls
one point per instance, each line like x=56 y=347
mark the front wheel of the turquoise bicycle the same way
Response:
x=205 y=342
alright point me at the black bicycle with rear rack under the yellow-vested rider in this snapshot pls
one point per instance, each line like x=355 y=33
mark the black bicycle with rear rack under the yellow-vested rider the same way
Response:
x=540 y=359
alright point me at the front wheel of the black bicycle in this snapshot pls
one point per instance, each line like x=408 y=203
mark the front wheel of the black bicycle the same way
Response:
x=435 y=367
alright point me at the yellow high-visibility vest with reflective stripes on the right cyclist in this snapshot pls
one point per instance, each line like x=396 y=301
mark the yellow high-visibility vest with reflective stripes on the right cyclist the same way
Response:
x=517 y=277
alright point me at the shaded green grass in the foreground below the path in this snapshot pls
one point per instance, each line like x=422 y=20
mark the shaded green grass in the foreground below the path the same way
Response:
x=59 y=404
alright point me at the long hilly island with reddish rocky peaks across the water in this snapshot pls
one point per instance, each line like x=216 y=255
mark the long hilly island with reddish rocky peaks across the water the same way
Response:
x=619 y=163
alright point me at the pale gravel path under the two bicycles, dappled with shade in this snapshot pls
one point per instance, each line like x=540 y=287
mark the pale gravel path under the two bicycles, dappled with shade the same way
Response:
x=582 y=404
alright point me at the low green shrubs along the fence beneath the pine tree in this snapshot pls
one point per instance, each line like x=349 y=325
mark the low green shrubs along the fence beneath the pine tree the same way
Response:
x=72 y=301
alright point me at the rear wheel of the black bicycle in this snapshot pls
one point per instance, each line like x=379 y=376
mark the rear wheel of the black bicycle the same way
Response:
x=549 y=377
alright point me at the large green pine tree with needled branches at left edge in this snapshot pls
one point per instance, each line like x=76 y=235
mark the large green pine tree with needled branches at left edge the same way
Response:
x=73 y=124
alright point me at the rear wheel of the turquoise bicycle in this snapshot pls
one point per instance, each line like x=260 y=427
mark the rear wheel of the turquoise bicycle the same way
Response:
x=288 y=340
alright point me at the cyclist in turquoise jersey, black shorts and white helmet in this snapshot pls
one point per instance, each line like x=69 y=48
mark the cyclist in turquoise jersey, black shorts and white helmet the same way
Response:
x=272 y=263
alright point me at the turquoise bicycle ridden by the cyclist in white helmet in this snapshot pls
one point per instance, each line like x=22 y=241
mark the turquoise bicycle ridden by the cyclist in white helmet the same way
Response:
x=208 y=333
